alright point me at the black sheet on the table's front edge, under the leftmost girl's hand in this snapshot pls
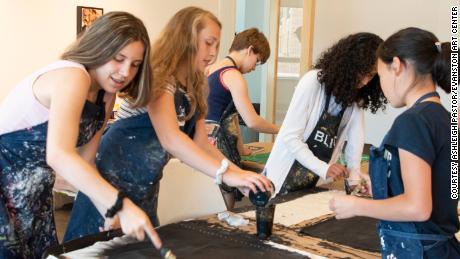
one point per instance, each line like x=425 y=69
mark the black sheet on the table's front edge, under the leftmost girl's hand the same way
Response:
x=189 y=239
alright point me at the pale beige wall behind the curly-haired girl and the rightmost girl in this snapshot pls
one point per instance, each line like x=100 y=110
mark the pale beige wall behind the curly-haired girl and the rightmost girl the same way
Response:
x=338 y=18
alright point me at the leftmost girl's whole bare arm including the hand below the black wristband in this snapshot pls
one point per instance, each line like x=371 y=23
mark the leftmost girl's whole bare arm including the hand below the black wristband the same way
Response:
x=62 y=156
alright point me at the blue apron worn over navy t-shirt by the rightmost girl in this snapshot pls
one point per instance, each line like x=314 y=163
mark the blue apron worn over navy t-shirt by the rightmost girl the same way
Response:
x=401 y=239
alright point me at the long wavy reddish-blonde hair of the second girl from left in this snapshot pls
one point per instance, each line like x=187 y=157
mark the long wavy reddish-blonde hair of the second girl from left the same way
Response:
x=178 y=44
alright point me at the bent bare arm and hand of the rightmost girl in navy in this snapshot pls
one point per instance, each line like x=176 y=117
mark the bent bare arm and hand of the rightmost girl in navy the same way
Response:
x=415 y=204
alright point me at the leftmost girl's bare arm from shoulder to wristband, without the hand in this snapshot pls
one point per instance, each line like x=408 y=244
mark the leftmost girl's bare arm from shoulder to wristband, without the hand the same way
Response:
x=64 y=118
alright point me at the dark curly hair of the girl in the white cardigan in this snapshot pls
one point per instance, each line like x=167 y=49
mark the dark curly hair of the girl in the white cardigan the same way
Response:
x=345 y=64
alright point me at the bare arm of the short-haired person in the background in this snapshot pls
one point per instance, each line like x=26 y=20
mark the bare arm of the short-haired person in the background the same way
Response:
x=238 y=87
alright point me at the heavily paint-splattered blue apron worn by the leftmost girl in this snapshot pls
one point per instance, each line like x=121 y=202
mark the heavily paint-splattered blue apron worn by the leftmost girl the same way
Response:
x=26 y=208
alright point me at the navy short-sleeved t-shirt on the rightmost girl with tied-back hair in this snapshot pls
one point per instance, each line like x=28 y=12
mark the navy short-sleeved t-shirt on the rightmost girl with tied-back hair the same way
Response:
x=424 y=130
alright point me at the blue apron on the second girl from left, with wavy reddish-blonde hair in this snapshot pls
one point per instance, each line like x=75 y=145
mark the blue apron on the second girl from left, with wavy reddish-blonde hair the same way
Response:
x=132 y=159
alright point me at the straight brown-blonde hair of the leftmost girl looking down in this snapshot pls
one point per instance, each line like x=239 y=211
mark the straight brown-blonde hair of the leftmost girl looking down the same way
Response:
x=107 y=36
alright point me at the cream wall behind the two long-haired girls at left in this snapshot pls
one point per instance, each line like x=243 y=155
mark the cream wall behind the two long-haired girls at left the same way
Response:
x=35 y=33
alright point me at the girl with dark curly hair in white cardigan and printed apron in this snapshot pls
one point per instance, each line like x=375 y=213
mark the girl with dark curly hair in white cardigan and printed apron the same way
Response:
x=328 y=108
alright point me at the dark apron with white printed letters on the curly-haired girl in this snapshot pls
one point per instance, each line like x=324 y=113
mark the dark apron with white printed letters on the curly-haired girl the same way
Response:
x=321 y=142
